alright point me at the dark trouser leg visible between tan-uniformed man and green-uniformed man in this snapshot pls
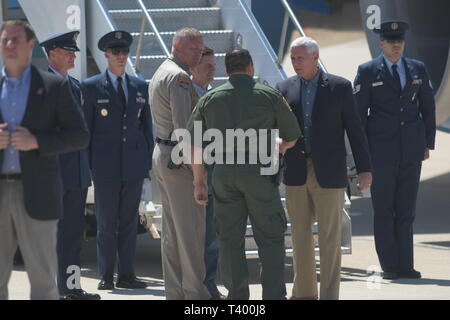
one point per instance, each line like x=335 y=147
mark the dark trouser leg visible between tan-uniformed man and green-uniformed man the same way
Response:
x=211 y=242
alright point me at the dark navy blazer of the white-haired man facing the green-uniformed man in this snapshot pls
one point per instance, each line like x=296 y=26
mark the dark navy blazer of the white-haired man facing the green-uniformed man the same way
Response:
x=334 y=113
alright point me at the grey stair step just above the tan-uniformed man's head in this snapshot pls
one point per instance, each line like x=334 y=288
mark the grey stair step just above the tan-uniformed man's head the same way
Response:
x=169 y=19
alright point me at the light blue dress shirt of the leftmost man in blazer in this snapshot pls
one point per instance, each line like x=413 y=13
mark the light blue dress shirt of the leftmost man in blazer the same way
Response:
x=13 y=103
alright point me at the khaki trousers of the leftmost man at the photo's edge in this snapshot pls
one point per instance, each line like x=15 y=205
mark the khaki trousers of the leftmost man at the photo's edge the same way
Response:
x=37 y=242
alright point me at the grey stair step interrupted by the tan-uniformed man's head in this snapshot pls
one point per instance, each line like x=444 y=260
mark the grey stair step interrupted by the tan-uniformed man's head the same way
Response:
x=218 y=40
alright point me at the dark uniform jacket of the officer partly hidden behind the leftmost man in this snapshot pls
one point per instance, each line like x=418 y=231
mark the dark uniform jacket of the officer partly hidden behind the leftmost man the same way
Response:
x=75 y=165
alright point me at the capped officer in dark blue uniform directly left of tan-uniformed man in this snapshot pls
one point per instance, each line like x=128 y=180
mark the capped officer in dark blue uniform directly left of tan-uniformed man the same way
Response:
x=120 y=152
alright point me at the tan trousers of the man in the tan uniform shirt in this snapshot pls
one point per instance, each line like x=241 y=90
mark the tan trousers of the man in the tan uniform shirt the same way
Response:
x=183 y=231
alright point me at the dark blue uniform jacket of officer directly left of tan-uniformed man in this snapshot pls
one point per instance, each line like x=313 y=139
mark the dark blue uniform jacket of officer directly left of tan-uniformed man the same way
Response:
x=121 y=143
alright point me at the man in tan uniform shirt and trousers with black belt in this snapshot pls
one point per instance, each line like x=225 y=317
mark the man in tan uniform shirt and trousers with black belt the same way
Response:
x=173 y=98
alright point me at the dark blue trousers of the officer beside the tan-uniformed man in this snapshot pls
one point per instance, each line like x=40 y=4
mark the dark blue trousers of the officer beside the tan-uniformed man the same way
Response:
x=117 y=212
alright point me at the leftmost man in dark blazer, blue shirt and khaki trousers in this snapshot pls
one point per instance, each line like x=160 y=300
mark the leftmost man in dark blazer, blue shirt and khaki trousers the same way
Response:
x=39 y=120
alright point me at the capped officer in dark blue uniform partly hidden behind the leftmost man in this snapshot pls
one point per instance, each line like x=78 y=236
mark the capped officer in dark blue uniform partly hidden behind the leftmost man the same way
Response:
x=75 y=174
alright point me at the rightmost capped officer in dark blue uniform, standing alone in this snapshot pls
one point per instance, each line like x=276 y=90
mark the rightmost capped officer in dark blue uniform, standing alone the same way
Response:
x=397 y=108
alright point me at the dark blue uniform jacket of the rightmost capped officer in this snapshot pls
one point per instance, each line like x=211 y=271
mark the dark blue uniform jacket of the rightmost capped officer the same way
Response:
x=399 y=126
